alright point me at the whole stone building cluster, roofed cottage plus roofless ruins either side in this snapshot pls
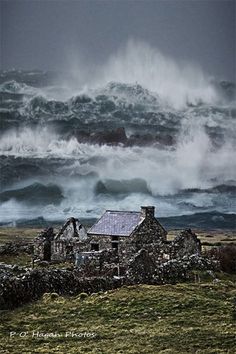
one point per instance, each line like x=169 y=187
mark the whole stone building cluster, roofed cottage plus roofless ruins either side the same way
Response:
x=116 y=238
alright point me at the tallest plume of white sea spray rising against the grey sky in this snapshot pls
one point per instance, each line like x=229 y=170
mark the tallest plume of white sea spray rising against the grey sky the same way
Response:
x=177 y=83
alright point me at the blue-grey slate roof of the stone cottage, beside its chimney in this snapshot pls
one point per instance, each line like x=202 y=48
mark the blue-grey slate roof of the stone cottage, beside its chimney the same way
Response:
x=116 y=223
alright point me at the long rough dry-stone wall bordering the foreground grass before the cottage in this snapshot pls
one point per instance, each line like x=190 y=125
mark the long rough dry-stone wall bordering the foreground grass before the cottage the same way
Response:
x=19 y=286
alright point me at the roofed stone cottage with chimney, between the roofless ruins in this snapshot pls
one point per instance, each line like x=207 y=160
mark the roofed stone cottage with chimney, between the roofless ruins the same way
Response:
x=127 y=232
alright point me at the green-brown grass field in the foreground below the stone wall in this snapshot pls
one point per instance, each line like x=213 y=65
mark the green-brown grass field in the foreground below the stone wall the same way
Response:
x=183 y=318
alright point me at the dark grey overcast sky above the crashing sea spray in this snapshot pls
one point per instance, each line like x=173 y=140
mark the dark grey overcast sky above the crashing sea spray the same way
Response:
x=40 y=34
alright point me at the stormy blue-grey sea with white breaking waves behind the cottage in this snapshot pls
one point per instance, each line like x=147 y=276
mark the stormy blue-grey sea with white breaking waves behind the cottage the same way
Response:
x=142 y=130
